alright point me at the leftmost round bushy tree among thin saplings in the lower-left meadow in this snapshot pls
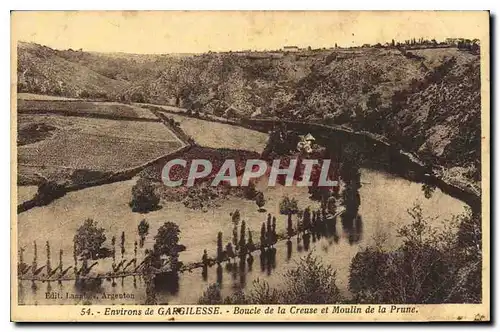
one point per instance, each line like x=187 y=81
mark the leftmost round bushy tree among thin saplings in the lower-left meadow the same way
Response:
x=89 y=239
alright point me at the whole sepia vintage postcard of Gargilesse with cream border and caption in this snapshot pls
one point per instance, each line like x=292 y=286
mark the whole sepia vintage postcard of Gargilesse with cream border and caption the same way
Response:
x=250 y=166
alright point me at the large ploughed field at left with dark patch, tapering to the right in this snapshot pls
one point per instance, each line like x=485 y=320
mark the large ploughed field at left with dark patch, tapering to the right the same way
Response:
x=70 y=143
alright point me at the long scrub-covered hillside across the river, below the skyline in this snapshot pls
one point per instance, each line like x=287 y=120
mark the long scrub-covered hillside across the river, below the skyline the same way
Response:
x=354 y=87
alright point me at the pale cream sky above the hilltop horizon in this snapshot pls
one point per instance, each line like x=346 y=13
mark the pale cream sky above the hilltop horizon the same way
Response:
x=197 y=32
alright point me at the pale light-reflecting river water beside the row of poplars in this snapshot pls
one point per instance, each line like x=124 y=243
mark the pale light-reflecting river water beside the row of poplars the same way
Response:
x=384 y=201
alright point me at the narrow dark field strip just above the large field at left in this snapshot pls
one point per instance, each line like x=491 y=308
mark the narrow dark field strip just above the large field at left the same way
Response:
x=83 y=108
